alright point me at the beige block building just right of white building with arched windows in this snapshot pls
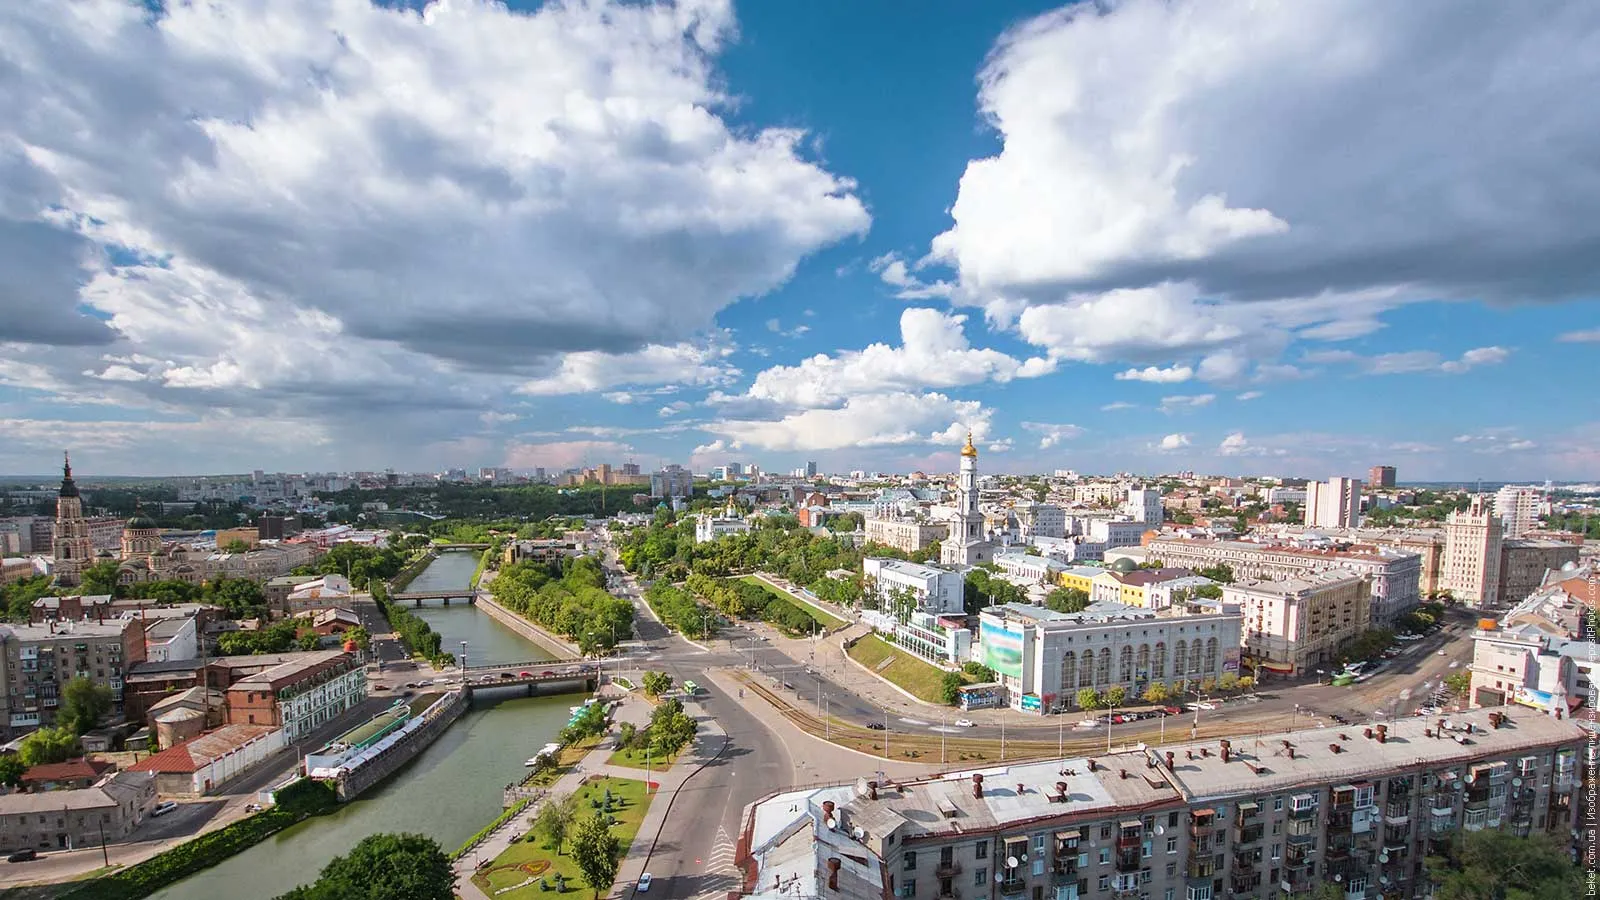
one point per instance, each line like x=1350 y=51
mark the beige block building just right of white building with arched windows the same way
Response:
x=1297 y=625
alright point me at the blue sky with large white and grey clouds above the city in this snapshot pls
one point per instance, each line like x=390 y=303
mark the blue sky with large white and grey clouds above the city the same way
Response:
x=1249 y=238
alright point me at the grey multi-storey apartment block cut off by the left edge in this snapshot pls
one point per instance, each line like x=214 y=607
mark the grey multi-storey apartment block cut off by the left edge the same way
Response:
x=39 y=661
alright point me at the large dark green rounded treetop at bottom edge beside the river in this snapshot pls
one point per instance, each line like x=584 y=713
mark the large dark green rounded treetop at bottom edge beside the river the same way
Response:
x=385 y=867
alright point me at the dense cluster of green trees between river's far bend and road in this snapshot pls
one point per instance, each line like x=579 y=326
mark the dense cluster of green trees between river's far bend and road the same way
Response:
x=569 y=600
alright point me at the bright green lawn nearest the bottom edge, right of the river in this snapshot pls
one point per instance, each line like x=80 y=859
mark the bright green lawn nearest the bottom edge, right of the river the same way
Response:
x=534 y=858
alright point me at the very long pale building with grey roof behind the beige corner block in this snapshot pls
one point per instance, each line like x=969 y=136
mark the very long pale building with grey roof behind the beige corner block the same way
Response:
x=1394 y=574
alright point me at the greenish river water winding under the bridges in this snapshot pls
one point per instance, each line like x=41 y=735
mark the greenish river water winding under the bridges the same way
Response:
x=449 y=792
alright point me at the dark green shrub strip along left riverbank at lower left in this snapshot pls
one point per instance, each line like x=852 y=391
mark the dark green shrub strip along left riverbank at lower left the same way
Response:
x=295 y=803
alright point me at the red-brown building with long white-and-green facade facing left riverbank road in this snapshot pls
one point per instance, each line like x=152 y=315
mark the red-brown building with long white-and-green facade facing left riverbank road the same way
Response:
x=298 y=694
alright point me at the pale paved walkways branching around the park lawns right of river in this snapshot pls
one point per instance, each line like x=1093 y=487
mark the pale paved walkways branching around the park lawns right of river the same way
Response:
x=710 y=742
